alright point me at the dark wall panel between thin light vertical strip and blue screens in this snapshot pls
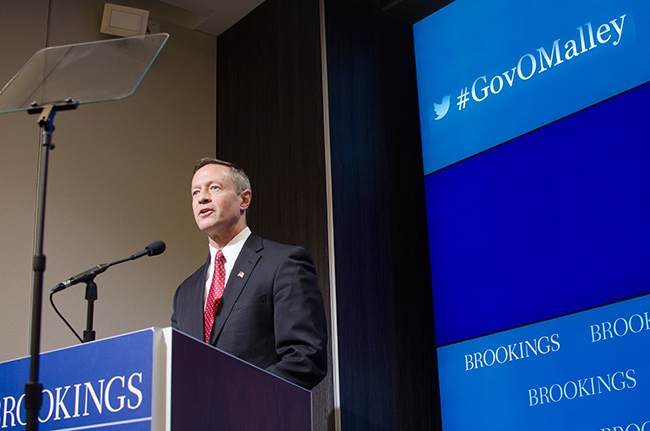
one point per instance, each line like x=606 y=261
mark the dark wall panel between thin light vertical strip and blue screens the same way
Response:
x=386 y=337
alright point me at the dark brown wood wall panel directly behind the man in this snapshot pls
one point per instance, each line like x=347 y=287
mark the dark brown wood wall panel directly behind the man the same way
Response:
x=270 y=122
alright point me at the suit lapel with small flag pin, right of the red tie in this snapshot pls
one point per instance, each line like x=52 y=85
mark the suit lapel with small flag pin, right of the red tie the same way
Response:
x=241 y=272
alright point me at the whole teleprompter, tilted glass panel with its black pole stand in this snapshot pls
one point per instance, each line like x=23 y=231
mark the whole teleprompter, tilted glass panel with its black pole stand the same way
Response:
x=58 y=79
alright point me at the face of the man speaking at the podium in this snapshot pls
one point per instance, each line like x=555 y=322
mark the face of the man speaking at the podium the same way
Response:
x=218 y=209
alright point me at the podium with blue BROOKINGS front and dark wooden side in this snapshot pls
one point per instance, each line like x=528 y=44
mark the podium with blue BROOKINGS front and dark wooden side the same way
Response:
x=154 y=379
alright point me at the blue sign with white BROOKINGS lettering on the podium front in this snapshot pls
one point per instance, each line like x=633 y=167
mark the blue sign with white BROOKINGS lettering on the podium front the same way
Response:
x=101 y=385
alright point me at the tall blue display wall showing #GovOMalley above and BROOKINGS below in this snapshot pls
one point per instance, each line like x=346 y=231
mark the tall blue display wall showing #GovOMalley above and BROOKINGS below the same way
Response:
x=536 y=150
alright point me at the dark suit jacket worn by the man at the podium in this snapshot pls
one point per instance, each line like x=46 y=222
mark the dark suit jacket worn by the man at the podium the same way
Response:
x=271 y=313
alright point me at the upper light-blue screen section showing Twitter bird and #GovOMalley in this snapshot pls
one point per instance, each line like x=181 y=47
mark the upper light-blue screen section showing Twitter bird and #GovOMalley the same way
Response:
x=489 y=71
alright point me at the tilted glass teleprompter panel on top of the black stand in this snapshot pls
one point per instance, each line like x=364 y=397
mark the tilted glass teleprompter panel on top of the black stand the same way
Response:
x=86 y=72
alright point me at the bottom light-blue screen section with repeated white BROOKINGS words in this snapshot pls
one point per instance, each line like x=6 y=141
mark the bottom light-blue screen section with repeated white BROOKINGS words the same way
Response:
x=586 y=371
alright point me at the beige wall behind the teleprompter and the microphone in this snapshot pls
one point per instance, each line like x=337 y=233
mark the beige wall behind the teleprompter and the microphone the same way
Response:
x=119 y=179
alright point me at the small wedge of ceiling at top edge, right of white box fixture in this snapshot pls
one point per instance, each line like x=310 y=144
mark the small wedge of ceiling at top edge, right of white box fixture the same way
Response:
x=209 y=16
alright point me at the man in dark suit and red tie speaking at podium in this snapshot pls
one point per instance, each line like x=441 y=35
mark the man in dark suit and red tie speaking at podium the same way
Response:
x=270 y=312
